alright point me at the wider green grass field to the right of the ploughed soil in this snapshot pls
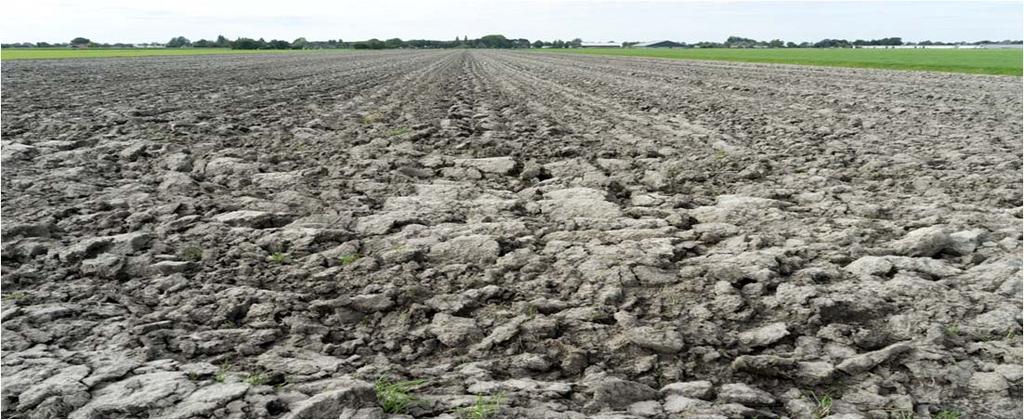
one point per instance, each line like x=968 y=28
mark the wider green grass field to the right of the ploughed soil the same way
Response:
x=988 y=62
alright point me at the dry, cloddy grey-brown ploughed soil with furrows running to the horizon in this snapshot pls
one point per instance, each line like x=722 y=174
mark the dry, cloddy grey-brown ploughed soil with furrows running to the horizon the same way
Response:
x=551 y=236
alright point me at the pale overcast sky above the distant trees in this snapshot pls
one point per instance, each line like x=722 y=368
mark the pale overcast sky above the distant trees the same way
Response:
x=138 y=21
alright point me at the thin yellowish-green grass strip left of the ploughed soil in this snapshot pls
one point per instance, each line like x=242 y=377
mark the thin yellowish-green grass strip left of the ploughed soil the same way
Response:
x=32 y=54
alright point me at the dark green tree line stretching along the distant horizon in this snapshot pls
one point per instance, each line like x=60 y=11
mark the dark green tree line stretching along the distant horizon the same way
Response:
x=489 y=41
